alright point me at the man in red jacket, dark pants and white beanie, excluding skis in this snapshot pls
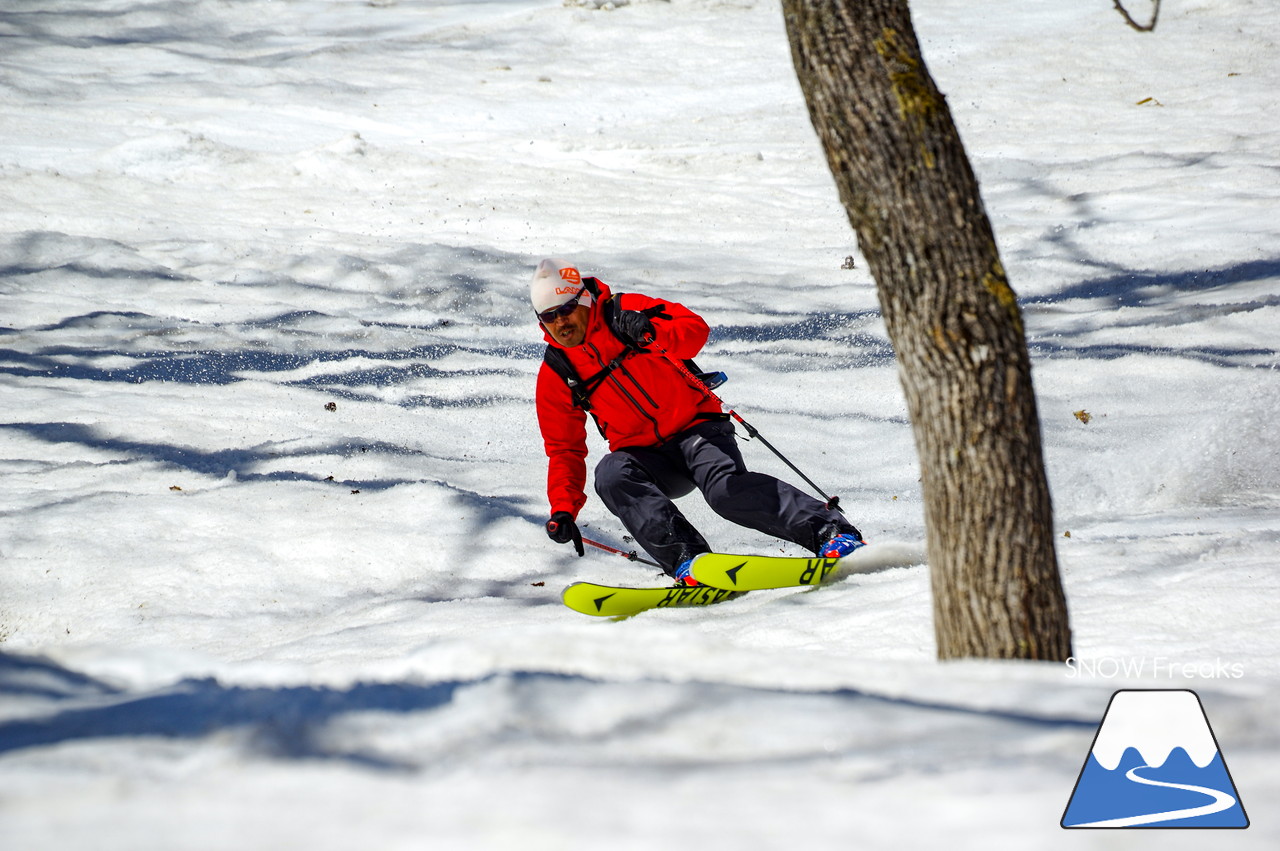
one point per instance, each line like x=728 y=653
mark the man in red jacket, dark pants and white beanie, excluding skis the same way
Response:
x=616 y=358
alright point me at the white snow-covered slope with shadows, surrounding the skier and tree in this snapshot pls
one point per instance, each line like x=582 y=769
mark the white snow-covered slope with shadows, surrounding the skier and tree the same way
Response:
x=231 y=617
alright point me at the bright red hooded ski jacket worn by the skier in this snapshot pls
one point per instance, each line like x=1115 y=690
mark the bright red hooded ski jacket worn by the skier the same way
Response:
x=644 y=402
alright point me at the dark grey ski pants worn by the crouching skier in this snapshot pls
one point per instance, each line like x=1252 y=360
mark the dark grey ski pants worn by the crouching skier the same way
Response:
x=638 y=484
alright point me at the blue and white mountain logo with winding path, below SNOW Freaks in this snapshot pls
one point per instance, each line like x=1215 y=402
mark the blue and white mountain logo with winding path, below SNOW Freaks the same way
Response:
x=1155 y=763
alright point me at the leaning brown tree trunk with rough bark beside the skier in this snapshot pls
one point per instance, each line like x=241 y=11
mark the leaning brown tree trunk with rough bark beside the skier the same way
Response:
x=912 y=198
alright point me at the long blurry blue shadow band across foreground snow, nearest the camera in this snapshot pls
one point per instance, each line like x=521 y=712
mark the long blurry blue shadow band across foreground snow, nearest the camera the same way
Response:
x=290 y=722
